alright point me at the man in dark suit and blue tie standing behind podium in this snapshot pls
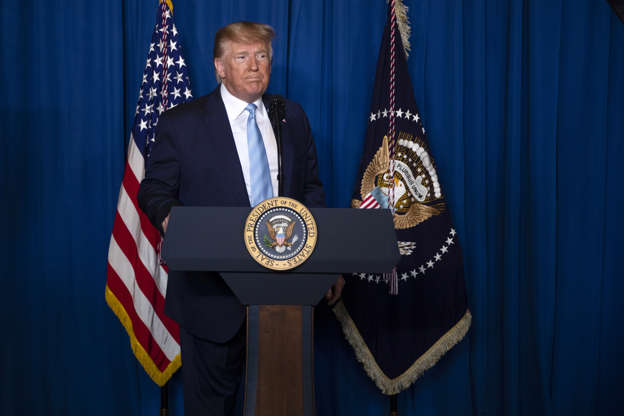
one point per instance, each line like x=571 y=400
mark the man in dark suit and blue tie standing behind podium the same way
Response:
x=220 y=150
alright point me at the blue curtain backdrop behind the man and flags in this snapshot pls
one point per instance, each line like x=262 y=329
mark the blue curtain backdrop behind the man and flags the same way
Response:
x=523 y=102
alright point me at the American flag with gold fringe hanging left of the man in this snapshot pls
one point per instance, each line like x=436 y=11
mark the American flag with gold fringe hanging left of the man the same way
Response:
x=136 y=280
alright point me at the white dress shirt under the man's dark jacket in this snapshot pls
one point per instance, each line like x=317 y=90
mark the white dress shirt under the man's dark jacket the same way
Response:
x=237 y=116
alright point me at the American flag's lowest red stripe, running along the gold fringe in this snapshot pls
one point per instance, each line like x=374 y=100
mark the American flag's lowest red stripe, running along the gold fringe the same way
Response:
x=141 y=332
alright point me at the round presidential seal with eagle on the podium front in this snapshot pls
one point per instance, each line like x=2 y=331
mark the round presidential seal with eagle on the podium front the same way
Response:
x=280 y=233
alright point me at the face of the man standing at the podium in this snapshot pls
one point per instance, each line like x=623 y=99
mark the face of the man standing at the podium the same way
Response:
x=245 y=69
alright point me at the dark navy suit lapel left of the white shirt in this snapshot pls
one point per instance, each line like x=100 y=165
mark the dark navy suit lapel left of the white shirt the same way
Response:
x=218 y=125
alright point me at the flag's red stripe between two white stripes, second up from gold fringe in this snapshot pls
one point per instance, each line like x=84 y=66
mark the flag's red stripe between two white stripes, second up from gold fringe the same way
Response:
x=142 y=275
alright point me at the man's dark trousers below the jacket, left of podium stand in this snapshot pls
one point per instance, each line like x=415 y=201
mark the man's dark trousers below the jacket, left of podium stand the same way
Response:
x=211 y=373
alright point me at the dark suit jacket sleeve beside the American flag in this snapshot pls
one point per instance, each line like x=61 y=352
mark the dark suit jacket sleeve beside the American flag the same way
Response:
x=158 y=192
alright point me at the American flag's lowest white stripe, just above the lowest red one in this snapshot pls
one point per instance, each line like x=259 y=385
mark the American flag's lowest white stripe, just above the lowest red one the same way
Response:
x=142 y=305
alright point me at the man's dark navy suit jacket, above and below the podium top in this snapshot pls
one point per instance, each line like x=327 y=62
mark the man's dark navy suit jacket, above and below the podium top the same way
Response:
x=194 y=162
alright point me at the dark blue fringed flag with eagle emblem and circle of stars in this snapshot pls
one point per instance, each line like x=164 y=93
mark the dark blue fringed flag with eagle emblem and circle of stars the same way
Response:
x=402 y=322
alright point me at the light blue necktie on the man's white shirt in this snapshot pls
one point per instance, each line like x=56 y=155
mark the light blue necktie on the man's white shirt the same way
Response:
x=259 y=173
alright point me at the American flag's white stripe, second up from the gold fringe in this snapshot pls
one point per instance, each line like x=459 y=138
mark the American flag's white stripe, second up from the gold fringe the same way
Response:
x=129 y=215
